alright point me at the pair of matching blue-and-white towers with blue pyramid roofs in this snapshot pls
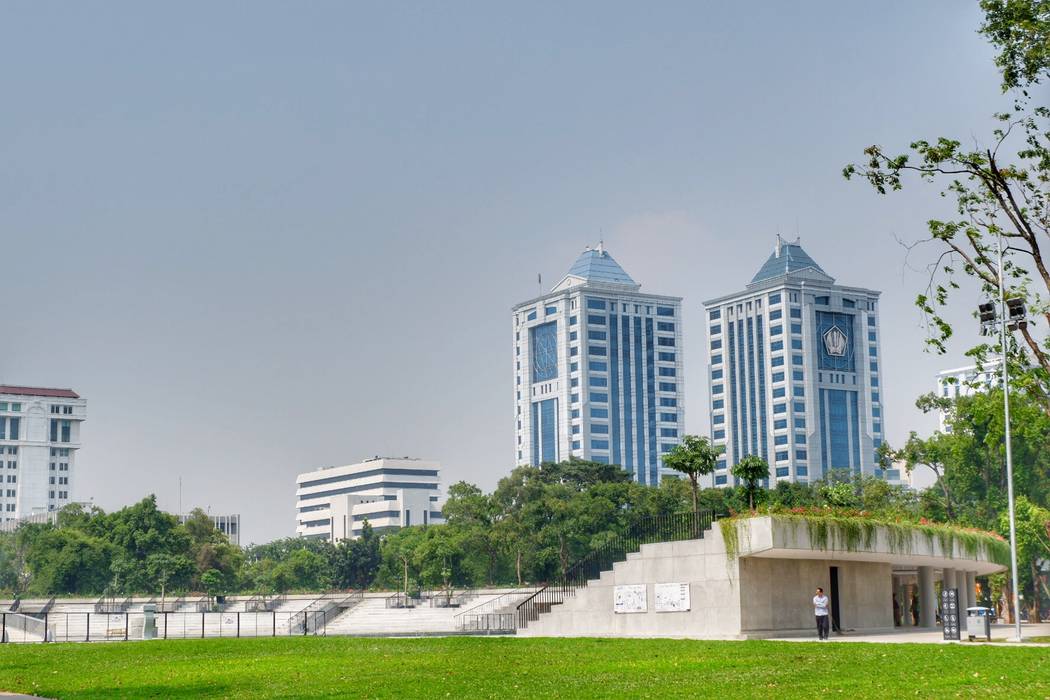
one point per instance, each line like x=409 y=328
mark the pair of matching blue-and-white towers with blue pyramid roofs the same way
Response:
x=793 y=372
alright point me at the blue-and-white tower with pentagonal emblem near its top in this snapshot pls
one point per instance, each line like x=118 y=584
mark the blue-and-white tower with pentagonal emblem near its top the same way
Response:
x=795 y=372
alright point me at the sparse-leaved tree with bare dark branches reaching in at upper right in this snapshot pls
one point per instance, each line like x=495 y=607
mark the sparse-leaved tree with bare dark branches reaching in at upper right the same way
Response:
x=997 y=197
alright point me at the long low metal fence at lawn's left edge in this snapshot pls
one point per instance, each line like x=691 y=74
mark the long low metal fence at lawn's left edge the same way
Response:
x=128 y=626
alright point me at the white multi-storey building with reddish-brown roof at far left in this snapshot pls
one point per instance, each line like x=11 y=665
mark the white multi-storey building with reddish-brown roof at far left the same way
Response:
x=39 y=439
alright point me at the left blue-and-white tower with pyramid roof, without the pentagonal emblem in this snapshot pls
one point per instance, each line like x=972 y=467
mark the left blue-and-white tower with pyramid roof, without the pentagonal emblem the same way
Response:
x=599 y=371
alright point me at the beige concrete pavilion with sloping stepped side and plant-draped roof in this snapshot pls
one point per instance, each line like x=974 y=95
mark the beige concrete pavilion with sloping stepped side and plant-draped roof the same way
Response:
x=766 y=589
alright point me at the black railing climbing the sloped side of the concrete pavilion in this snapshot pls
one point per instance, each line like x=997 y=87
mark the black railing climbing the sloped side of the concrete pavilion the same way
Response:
x=677 y=527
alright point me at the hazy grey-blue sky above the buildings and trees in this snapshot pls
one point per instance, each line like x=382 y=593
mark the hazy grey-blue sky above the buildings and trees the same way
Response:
x=266 y=238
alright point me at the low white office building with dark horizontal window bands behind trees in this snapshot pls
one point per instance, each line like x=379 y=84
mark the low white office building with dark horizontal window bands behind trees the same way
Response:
x=333 y=503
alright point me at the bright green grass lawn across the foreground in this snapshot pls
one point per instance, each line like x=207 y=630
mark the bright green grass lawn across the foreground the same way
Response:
x=510 y=668
